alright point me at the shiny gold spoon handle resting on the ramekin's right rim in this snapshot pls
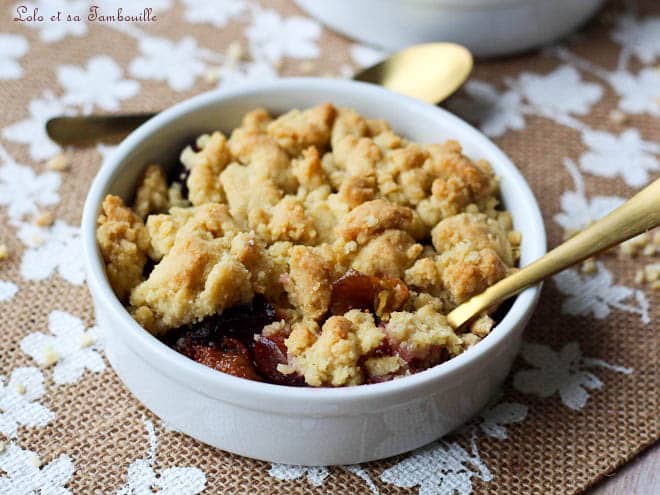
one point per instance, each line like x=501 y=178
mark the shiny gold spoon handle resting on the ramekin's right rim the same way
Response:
x=639 y=214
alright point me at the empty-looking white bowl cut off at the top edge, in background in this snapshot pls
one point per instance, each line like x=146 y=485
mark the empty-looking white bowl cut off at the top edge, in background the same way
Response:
x=486 y=27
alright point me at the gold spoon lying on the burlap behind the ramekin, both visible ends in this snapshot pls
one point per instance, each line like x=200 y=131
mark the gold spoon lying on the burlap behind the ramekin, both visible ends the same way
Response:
x=430 y=72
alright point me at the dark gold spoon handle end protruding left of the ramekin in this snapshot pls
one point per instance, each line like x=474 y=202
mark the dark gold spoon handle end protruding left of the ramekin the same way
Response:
x=86 y=129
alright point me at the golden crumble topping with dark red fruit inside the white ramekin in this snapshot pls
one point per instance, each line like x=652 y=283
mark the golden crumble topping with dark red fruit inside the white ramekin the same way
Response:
x=317 y=248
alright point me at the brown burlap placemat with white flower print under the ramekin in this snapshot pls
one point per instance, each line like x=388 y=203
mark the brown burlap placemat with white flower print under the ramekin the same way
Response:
x=581 y=122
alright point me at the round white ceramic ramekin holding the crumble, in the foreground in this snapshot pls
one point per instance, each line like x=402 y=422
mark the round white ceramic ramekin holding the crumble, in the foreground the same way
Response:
x=304 y=425
